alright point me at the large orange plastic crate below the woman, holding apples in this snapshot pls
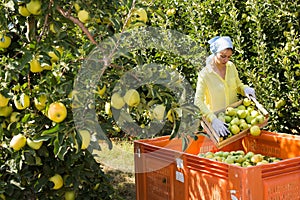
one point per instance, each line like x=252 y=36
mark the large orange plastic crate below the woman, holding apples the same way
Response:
x=164 y=172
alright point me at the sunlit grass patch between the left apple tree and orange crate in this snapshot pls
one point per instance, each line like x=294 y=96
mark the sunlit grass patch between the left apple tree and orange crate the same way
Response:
x=118 y=163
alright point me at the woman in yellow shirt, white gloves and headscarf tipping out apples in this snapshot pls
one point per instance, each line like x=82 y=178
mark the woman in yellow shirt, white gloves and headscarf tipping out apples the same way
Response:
x=219 y=84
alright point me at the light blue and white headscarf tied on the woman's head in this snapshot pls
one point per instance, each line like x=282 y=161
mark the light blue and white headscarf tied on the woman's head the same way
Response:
x=218 y=44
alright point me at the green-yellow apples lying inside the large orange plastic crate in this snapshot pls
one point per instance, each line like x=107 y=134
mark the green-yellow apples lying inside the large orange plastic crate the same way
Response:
x=239 y=158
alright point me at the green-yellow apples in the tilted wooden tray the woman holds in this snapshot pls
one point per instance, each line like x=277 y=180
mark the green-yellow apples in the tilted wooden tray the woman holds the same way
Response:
x=245 y=116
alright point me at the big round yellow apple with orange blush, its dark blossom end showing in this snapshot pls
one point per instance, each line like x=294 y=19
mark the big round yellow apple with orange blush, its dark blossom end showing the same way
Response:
x=57 y=112
